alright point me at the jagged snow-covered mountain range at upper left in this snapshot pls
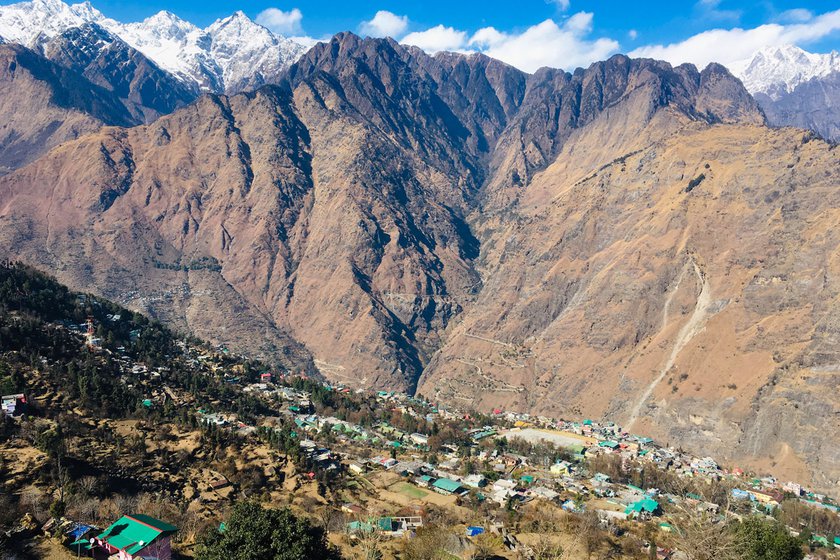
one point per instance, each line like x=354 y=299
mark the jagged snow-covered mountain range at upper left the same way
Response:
x=230 y=55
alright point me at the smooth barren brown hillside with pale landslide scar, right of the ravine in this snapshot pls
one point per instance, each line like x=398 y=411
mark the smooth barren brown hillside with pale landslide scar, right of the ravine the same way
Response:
x=688 y=290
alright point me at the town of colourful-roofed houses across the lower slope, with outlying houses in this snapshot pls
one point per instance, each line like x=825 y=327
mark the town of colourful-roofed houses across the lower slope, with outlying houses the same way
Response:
x=431 y=454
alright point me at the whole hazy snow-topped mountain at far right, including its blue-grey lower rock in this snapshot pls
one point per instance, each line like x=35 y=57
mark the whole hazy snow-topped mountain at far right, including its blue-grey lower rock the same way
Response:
x=795 y=87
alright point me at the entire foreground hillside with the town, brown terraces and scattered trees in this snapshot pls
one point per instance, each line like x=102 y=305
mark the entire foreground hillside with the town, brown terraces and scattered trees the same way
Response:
x=199 y=430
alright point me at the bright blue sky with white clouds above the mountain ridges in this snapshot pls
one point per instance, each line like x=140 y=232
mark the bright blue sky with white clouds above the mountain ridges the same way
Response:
x=532 y=33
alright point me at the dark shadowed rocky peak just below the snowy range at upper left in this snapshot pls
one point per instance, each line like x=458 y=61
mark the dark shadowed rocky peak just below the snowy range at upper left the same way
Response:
x=146 y=91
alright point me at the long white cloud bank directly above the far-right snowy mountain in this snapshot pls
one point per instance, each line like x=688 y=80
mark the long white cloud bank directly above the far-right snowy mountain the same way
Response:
x=730 y=45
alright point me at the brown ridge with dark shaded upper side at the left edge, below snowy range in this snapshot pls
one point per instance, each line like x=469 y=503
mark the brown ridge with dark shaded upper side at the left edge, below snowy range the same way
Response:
x=44 y=104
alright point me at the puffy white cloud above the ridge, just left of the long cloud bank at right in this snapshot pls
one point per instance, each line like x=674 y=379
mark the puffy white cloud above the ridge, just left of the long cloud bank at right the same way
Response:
x=549 y=44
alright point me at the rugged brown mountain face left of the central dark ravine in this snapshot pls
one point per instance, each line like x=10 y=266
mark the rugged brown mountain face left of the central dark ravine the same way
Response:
x=243 y=194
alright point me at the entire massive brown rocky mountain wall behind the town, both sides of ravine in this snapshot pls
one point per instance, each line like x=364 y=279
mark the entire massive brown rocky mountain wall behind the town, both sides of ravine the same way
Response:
x=627 y=241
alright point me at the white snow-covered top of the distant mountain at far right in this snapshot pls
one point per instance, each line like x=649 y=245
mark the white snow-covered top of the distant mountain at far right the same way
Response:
x=779 y=69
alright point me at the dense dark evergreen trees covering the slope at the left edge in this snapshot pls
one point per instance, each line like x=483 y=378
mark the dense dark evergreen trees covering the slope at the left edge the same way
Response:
x=41 y=327
